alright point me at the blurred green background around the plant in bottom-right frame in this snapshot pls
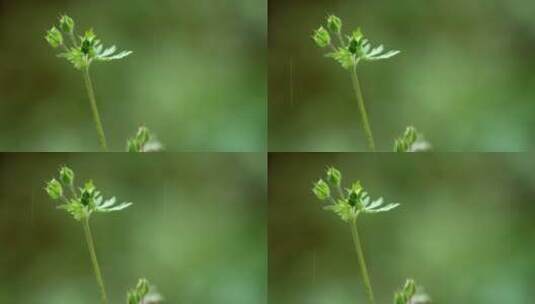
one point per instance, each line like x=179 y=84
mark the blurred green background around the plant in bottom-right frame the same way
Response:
x=464 y=229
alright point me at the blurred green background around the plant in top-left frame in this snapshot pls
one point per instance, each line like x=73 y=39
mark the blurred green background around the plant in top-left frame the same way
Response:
x=197 y=77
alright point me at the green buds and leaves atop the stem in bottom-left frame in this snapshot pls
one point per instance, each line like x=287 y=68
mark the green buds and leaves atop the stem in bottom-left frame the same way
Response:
x=82 y=203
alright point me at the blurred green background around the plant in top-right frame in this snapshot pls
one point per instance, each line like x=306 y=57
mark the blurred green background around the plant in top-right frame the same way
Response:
x=464 y=77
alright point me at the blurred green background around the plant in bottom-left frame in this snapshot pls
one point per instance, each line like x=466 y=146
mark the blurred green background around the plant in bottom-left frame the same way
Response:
x=200 y=237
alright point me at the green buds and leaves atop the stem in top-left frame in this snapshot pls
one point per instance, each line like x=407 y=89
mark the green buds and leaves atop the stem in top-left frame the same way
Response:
x=81 y=51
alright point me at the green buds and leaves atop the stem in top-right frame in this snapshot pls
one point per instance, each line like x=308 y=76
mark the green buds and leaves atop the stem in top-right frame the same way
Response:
x=350 y=50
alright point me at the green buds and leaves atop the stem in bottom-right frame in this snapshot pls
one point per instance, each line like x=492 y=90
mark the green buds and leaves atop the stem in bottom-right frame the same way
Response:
x=348 y=206
